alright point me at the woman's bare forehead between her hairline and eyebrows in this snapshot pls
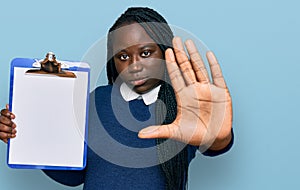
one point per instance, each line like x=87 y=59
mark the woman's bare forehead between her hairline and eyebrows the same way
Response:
x=130 y=35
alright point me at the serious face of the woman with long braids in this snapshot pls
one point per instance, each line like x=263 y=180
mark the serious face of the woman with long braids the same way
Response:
x=138 y=59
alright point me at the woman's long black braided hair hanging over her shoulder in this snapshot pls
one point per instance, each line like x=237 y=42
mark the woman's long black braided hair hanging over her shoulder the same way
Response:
x=176 y=168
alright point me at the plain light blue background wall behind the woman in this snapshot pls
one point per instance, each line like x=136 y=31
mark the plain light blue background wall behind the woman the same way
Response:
x=256 y=42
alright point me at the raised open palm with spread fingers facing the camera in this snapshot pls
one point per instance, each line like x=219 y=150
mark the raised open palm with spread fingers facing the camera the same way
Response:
x=204 y=107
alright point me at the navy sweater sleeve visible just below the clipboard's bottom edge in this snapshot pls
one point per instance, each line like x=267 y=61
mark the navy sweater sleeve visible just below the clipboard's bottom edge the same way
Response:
x=67 y=177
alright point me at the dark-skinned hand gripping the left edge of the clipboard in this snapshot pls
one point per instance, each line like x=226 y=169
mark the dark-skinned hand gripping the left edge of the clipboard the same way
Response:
x=7 y=126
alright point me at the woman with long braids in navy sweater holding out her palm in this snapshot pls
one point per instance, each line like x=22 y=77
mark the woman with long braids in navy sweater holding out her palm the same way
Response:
x=144 y=59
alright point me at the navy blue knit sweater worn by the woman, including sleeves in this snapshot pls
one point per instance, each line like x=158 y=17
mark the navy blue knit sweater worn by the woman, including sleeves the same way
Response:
x=116 y=157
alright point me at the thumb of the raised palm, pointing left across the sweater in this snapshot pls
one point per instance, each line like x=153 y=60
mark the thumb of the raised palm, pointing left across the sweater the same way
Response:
x=157 y=131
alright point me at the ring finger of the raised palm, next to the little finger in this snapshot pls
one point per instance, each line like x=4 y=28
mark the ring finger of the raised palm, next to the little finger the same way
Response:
x=197 y=62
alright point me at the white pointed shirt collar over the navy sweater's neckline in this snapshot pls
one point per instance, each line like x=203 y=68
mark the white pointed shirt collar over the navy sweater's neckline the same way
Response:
x=128 y=94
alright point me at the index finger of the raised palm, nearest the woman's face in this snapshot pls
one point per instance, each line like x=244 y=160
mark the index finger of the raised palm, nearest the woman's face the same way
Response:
x=174 y=72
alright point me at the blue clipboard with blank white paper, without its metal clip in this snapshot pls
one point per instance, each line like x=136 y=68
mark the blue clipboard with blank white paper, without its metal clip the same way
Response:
x=51 y=117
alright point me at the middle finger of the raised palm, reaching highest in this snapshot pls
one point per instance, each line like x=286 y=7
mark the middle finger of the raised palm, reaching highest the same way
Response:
x=183 y=62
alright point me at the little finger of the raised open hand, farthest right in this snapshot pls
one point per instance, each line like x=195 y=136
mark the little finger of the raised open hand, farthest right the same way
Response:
x=216 y=71
